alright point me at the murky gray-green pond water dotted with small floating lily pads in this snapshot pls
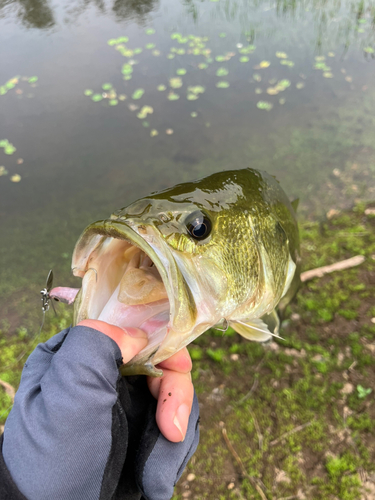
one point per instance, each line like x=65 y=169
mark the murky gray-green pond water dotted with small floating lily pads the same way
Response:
x=103 y=102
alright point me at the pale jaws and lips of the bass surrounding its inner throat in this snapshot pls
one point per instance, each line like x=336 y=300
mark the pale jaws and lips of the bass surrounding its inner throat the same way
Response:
x=97 y=259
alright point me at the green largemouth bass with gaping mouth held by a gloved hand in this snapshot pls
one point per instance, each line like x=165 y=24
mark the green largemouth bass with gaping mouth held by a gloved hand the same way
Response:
x=223 y=250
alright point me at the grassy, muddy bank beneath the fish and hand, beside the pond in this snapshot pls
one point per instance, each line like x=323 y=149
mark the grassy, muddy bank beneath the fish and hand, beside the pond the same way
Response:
x=294 y=419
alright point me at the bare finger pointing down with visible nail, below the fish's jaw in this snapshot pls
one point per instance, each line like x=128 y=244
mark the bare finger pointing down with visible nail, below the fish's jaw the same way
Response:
x=175 y=393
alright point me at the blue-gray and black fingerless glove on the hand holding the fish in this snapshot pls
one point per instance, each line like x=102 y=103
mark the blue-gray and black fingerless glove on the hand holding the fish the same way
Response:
x=80 y=431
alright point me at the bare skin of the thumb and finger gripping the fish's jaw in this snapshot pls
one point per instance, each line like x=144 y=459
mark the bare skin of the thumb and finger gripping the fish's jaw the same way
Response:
x=174 y=391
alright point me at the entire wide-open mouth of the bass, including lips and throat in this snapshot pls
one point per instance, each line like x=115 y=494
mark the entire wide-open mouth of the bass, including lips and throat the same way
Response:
x=128 y=280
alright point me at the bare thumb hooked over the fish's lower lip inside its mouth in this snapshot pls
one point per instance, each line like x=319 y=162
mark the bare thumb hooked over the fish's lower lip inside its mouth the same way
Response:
x=130 y=340
